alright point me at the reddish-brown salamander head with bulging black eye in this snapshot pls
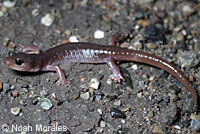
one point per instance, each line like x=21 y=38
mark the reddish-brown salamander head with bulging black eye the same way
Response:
x=22 y=62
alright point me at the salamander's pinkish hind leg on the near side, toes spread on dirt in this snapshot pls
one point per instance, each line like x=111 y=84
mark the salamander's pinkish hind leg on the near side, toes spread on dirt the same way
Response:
x=116 y=74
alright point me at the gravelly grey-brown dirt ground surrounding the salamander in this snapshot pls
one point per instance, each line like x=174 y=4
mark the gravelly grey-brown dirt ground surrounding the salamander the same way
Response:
x=152 y=100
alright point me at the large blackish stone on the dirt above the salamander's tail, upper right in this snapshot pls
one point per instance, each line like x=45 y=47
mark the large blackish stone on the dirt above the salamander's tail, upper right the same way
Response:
x=153 y=34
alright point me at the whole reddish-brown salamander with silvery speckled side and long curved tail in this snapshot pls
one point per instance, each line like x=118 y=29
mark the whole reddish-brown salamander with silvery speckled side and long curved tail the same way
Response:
x=90 y=53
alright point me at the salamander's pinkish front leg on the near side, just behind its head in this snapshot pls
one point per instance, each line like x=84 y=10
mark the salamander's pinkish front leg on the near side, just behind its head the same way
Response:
x=62 y=80
